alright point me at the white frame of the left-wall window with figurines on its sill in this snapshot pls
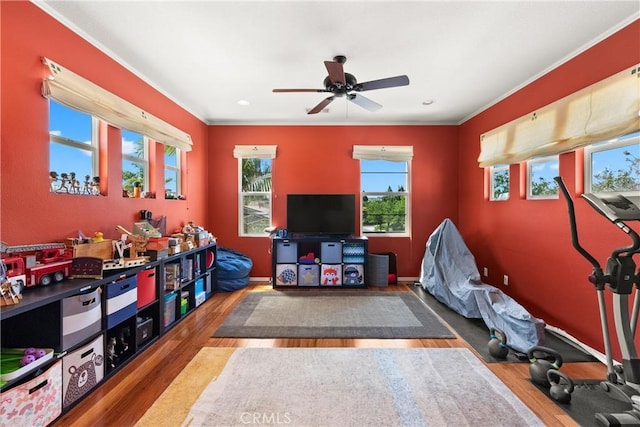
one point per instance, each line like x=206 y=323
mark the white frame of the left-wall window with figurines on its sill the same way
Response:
x=83 y=188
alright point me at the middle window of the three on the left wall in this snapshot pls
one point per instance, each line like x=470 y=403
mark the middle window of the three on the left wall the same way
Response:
x=135 y=164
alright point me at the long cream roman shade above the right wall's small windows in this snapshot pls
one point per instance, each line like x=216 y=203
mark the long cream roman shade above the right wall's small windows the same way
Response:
x=604 y=110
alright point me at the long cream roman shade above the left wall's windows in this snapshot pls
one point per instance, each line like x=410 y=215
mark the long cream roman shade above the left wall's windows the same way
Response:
x=76 y=92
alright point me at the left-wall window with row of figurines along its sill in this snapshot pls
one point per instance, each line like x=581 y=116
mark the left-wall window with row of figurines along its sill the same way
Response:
x=73 y=151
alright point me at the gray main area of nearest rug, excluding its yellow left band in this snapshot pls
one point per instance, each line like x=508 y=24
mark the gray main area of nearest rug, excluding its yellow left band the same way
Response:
x=358 y=387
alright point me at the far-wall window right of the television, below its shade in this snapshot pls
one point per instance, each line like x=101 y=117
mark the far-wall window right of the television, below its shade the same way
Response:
x=385 y=196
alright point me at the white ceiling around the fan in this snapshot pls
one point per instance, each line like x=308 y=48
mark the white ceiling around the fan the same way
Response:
x=465 y=56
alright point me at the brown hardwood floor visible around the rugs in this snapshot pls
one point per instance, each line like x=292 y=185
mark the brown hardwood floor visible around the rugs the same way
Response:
x=123 y=399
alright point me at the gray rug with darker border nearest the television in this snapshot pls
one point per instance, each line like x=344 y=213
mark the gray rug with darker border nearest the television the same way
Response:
x=336 y=314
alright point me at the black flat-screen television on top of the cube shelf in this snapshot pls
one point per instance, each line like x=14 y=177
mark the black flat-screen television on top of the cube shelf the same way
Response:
x=321 y=214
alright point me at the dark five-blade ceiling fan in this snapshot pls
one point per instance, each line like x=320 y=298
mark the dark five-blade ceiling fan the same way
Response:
x=342 y=84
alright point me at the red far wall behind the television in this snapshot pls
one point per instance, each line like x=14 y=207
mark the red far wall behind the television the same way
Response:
x=318 y=159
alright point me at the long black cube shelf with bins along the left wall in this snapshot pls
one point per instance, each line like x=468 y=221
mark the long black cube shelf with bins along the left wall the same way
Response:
x=96 y=326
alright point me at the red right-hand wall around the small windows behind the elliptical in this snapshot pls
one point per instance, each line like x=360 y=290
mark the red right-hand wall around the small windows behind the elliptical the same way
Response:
x=530 y=240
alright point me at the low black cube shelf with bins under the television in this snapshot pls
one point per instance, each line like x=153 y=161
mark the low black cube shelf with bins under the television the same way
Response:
x=319 y=261
